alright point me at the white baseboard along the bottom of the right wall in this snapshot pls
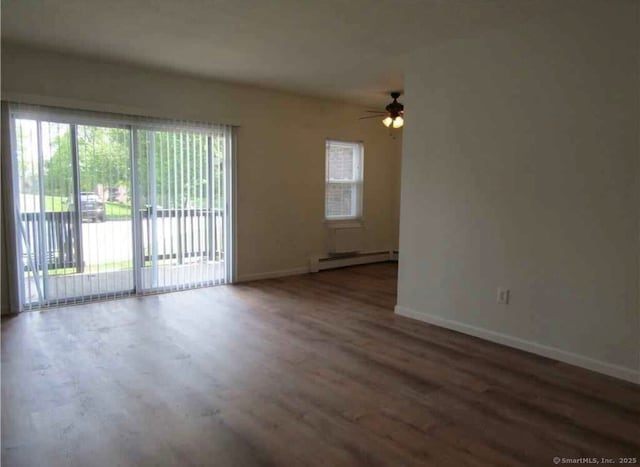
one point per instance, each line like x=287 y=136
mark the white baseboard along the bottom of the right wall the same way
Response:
x=627 y=374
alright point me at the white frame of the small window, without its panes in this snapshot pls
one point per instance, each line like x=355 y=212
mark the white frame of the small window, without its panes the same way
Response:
x=357 y=182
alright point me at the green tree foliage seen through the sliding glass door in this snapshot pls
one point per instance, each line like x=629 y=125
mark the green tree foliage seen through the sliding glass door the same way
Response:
x=180 y=161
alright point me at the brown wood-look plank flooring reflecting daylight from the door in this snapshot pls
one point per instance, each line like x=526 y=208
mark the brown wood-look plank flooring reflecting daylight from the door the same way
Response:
x=306 y=370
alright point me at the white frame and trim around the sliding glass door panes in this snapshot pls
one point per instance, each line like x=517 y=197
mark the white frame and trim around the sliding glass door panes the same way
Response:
x=74 y=118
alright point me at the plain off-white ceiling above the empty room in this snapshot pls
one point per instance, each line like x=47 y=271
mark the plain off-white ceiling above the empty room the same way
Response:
x=352 y=49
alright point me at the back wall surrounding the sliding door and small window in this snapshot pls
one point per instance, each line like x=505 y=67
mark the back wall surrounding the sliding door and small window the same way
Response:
x=281 y=144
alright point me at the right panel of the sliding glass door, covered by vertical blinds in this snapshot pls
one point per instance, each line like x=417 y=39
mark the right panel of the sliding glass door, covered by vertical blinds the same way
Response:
x=182 y=215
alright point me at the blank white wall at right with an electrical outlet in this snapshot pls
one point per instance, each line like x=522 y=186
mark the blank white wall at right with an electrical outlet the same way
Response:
x=520 y=169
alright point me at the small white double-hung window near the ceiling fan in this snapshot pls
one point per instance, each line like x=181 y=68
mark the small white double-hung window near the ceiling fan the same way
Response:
x=343 y=191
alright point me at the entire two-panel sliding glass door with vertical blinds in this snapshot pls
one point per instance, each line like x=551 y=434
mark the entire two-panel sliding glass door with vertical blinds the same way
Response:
x=109 y=206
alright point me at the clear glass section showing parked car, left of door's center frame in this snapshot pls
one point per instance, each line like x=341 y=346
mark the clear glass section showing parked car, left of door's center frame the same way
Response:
x=101 y=202
